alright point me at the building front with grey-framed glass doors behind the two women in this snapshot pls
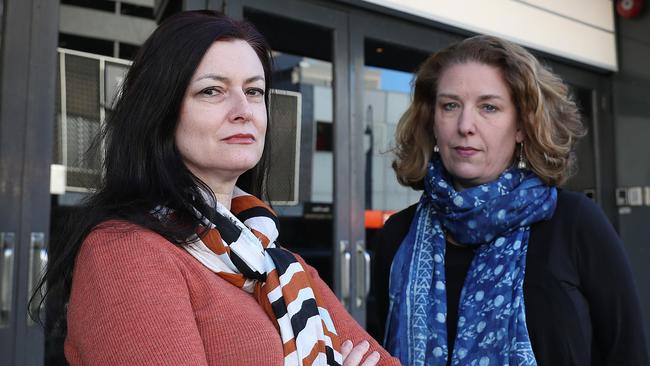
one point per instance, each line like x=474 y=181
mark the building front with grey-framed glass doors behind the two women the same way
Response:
x=342 y=78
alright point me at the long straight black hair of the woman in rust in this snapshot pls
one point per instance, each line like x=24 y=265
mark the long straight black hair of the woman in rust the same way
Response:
x=142 y=165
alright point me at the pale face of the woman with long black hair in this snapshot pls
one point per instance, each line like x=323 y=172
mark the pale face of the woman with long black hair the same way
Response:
x=220 y=133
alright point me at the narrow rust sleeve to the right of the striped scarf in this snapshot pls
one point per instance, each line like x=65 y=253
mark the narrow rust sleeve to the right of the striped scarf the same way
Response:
x=346 y=327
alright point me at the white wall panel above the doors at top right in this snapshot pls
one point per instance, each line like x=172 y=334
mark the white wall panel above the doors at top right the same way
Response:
x=544 y=29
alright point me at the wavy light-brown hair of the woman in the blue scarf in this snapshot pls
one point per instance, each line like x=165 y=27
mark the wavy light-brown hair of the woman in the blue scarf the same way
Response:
x=547 y=114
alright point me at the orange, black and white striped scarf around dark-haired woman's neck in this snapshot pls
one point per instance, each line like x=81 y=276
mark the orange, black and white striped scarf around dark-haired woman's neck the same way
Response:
x=240 y=247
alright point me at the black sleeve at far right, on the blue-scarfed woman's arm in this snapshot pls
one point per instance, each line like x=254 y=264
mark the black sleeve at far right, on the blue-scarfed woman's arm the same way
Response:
x=607 y=282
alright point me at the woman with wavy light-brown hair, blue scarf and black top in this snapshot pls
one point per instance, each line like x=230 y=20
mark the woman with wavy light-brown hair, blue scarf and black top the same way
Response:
x=495 y=265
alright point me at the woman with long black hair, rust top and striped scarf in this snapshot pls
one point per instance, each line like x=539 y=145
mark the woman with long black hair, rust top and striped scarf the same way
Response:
x=170 y=262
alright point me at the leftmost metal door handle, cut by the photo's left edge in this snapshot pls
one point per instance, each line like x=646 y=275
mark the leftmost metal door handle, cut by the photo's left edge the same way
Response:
x=8 y=247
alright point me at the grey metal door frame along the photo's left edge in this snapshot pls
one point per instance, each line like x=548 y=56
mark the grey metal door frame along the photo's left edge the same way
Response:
x=30 y=31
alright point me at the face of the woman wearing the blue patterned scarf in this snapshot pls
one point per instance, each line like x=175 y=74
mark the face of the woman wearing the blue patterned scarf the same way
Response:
x=475 y=123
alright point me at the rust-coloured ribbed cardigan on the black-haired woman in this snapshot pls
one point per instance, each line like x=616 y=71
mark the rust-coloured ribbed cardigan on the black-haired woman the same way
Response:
x=137 y=299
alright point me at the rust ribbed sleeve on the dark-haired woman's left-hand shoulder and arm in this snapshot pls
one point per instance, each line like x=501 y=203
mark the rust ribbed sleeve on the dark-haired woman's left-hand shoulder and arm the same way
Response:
x=130 y=304
